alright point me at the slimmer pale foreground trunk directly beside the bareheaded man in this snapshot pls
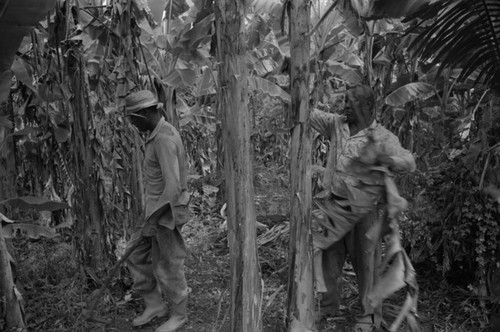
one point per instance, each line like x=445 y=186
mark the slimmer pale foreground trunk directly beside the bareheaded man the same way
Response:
x=300 y=280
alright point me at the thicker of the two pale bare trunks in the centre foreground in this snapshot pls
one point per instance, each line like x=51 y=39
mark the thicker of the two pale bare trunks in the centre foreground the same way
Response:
x=246 y=297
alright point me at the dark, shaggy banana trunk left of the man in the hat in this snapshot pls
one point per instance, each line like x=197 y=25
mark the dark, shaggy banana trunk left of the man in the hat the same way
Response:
x=89 y=210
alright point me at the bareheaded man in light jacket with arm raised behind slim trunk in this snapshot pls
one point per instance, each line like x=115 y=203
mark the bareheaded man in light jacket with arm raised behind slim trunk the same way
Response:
x=352 y=193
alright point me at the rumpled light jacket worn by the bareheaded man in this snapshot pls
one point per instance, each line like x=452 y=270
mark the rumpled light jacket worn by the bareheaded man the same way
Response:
x=343 y=177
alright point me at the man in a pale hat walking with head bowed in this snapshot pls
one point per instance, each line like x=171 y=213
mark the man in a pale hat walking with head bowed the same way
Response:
x=157 y=265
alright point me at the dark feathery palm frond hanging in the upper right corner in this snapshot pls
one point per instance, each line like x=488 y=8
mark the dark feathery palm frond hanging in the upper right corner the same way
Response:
x=465 y=34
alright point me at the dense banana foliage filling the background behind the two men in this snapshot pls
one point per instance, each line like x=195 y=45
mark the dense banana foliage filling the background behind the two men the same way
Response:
x=68 y=140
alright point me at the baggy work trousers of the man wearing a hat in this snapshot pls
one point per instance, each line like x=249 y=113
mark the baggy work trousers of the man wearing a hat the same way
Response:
x=159 y=262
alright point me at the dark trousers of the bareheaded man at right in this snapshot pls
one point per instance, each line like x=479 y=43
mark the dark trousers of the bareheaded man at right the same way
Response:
x=364 y=254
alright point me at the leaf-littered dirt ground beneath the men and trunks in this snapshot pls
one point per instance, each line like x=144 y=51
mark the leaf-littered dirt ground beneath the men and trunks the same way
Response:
x=54 y=298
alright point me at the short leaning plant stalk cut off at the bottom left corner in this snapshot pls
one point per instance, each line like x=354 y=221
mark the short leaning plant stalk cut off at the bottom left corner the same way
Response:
x=14 y=316
